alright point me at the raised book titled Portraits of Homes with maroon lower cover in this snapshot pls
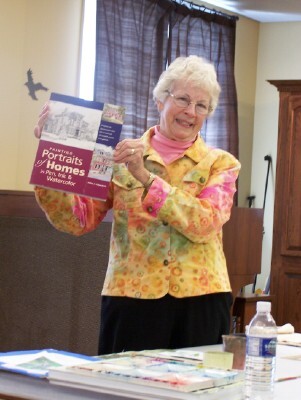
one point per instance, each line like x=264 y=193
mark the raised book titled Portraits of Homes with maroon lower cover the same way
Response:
x=75 y=151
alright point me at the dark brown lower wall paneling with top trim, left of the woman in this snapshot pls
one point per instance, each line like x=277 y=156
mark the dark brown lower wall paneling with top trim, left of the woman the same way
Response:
x=51 y=282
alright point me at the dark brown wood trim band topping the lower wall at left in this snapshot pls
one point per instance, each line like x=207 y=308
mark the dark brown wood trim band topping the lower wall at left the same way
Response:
x=19 y=204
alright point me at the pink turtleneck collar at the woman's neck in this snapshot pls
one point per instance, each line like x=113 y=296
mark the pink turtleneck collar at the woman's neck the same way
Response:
x=168 y=149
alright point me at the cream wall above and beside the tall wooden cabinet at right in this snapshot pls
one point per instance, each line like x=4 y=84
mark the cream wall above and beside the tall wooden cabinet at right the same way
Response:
x=279 y=57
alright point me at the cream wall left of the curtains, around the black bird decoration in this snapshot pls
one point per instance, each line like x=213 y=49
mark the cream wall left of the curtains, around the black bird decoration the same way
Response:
x=45 y=36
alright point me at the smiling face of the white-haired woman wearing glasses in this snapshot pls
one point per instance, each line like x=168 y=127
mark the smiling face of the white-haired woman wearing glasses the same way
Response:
x=178 y=123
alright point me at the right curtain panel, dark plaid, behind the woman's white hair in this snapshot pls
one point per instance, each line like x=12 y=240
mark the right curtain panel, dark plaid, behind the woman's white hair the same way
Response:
x=211 y=36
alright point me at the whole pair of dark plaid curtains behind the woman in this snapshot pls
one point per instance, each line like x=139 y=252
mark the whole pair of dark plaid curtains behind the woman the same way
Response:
x=137 y=39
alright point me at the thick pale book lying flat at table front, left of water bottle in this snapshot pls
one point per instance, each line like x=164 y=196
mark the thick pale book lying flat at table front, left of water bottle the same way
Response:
x=128 y=370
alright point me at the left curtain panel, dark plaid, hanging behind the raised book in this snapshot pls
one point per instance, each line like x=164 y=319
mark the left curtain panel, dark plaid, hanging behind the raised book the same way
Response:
x=131 y=38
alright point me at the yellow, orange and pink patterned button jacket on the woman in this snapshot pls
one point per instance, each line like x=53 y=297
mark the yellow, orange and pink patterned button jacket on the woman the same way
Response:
x=164 y=240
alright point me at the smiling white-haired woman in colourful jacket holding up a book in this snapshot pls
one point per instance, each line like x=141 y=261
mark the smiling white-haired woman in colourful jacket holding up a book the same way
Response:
x=167 y=284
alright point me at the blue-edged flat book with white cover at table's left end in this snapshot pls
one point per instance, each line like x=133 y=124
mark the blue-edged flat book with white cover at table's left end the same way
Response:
x=36 y=363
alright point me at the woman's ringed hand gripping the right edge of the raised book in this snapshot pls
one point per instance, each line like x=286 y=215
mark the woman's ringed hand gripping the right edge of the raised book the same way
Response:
x=130 y=152
